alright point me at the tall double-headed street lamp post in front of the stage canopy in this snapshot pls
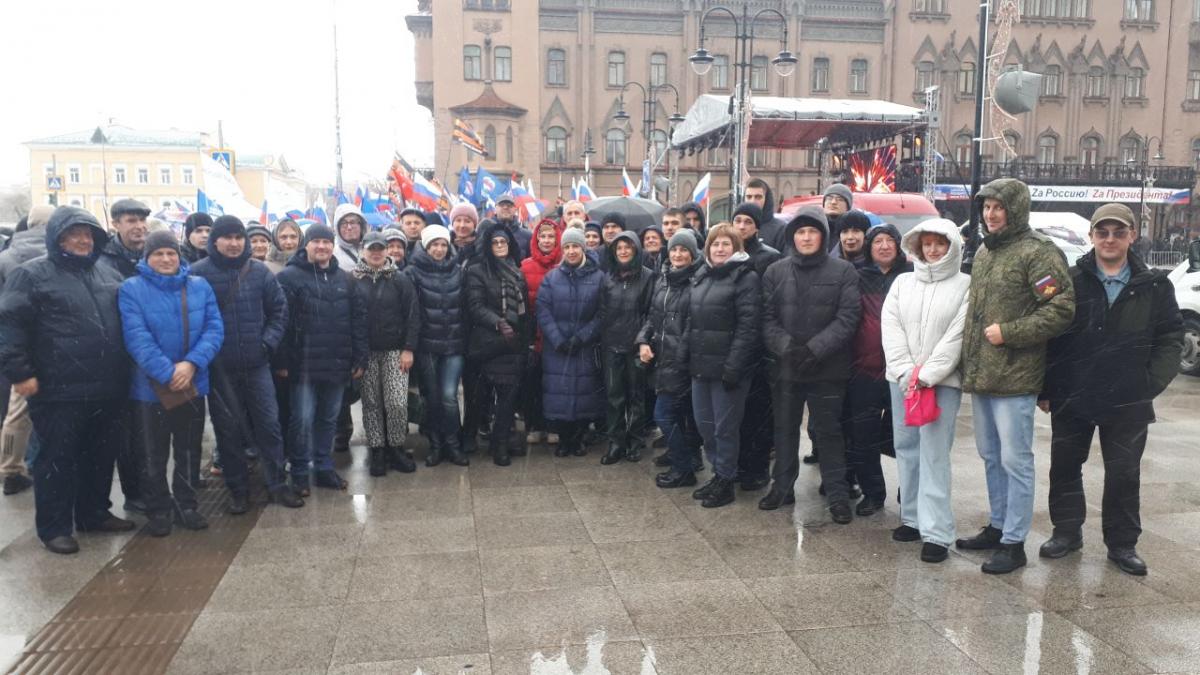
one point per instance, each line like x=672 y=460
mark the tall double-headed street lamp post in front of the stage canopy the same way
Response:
x=743 y=46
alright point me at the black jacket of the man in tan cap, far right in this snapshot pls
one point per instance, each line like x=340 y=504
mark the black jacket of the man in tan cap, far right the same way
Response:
x=1111 y=365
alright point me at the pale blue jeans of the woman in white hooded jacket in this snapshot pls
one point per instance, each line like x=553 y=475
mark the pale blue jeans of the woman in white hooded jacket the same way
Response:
x=923 y=462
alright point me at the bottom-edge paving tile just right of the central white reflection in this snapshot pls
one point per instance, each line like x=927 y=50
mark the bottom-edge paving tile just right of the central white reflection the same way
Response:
x=755 y=654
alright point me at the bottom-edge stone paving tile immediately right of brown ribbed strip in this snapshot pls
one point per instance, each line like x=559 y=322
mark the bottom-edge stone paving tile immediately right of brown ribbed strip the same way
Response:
x=230 y=642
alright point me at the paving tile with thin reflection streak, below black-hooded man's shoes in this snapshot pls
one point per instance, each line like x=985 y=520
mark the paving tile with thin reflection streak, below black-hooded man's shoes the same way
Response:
x=779 y=555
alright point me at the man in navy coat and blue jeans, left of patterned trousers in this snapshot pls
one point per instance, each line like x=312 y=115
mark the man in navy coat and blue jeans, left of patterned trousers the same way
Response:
x=325 y=348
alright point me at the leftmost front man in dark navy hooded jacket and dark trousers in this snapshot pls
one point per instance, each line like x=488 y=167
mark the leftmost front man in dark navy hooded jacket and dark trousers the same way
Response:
x=62 y=348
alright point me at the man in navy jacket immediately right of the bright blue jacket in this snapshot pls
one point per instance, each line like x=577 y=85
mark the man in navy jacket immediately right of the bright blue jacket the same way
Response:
x=256 y=314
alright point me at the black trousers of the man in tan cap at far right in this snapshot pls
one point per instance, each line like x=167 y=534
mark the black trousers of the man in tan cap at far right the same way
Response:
x=1121 y=446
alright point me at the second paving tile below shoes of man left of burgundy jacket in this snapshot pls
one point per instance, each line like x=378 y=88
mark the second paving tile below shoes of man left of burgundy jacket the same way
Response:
x=821 y=601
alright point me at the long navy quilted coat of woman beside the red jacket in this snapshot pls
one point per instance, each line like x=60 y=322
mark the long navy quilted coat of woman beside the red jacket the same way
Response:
x=569 y=306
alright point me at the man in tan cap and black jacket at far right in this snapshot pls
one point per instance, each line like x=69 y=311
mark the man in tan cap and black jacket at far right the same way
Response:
x=1120 y=353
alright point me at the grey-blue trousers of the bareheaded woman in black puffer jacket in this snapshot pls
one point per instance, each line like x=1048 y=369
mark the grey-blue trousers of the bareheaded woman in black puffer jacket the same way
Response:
x=719 y=419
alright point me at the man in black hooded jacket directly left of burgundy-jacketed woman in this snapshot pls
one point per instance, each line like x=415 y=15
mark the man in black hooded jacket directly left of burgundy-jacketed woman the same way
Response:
x=812 y=309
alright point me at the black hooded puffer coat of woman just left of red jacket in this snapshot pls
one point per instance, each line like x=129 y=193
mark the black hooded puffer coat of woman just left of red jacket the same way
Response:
x=496 y=292
